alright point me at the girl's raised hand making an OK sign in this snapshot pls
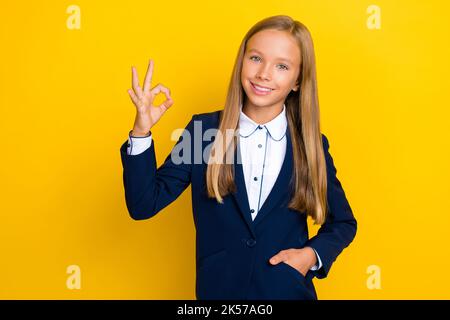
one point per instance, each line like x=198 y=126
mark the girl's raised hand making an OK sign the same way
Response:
x=147 y=114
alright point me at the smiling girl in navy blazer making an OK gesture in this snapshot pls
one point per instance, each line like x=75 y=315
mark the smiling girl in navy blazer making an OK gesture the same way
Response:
x=251 y=214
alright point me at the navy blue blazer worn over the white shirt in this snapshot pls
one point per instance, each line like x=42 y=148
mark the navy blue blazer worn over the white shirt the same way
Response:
x=232 y=250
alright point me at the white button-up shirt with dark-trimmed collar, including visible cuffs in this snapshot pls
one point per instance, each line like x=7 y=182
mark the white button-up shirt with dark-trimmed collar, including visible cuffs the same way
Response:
x=262 y=147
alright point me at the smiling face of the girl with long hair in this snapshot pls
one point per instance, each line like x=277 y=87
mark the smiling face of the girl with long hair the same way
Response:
x=271 y=60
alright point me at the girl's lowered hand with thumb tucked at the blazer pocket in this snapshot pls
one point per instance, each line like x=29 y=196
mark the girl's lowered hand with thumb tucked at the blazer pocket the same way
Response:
x=301 y=259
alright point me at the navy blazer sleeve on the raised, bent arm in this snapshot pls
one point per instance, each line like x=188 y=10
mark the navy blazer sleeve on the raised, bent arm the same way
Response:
x=149 y=189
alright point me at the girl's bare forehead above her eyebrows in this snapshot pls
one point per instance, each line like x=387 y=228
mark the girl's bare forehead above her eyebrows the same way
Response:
x=275 y=44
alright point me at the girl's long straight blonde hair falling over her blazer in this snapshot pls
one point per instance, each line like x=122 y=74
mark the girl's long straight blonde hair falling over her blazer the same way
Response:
x=309 y=179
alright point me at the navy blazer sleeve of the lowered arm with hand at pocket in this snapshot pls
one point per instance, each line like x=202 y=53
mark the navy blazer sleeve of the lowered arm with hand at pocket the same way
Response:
x=339 y=228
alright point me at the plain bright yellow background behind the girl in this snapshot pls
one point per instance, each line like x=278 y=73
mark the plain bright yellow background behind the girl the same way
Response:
x=65 y=112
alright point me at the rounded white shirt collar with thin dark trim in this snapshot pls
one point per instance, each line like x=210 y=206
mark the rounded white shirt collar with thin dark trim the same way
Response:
x=276 y=127
